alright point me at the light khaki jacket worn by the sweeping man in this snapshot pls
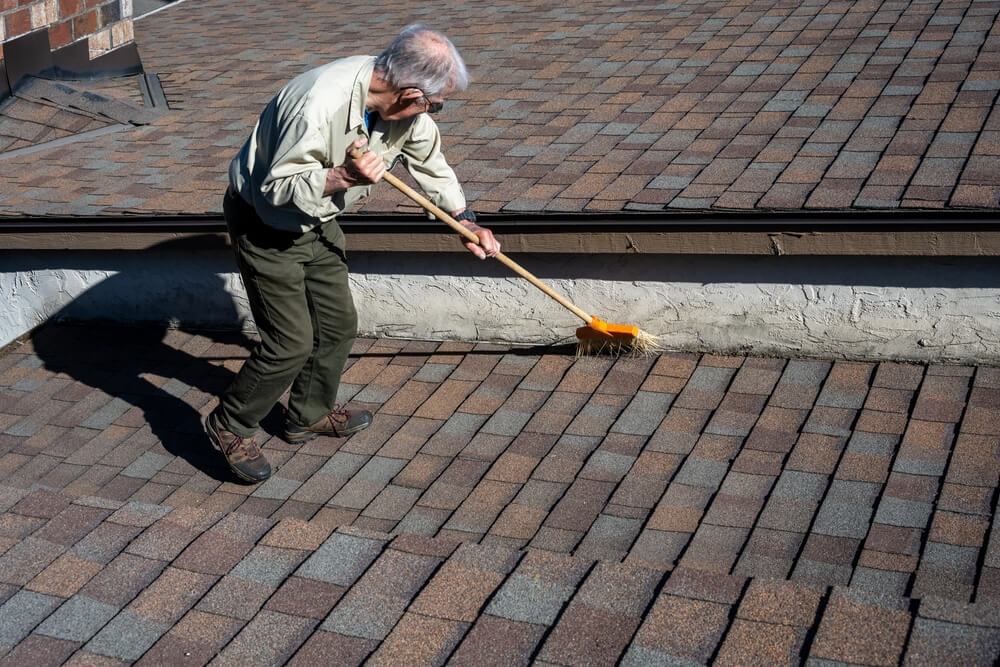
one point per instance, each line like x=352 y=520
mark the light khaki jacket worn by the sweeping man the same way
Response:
x=307 y=128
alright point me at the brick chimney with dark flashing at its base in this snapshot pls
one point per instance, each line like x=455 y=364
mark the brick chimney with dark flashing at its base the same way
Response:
x=65 y=39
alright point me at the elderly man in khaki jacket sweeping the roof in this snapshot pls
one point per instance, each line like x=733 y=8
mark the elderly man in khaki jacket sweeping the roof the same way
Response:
x=289 y=182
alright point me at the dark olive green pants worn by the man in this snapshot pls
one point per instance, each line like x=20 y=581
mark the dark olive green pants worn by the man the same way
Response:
x=301 y=302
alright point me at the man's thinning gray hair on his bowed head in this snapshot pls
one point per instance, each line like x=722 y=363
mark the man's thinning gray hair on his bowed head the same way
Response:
x=423 y=58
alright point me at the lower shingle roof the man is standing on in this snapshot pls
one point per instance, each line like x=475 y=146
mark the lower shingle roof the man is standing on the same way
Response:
x=676 y=508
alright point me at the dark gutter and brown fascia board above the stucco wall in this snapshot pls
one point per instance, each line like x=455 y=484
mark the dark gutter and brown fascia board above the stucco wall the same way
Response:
x=841 y=233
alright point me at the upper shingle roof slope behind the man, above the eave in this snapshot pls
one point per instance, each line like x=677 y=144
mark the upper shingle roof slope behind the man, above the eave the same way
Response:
x=592 y=107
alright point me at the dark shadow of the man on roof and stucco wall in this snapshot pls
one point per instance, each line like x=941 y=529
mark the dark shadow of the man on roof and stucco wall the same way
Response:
x=170 y=367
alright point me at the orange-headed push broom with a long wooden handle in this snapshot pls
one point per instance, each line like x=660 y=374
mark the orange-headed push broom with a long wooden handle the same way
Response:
x=596 y=337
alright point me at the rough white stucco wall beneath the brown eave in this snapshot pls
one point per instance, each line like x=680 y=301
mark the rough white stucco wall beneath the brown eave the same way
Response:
x=875 y=308
